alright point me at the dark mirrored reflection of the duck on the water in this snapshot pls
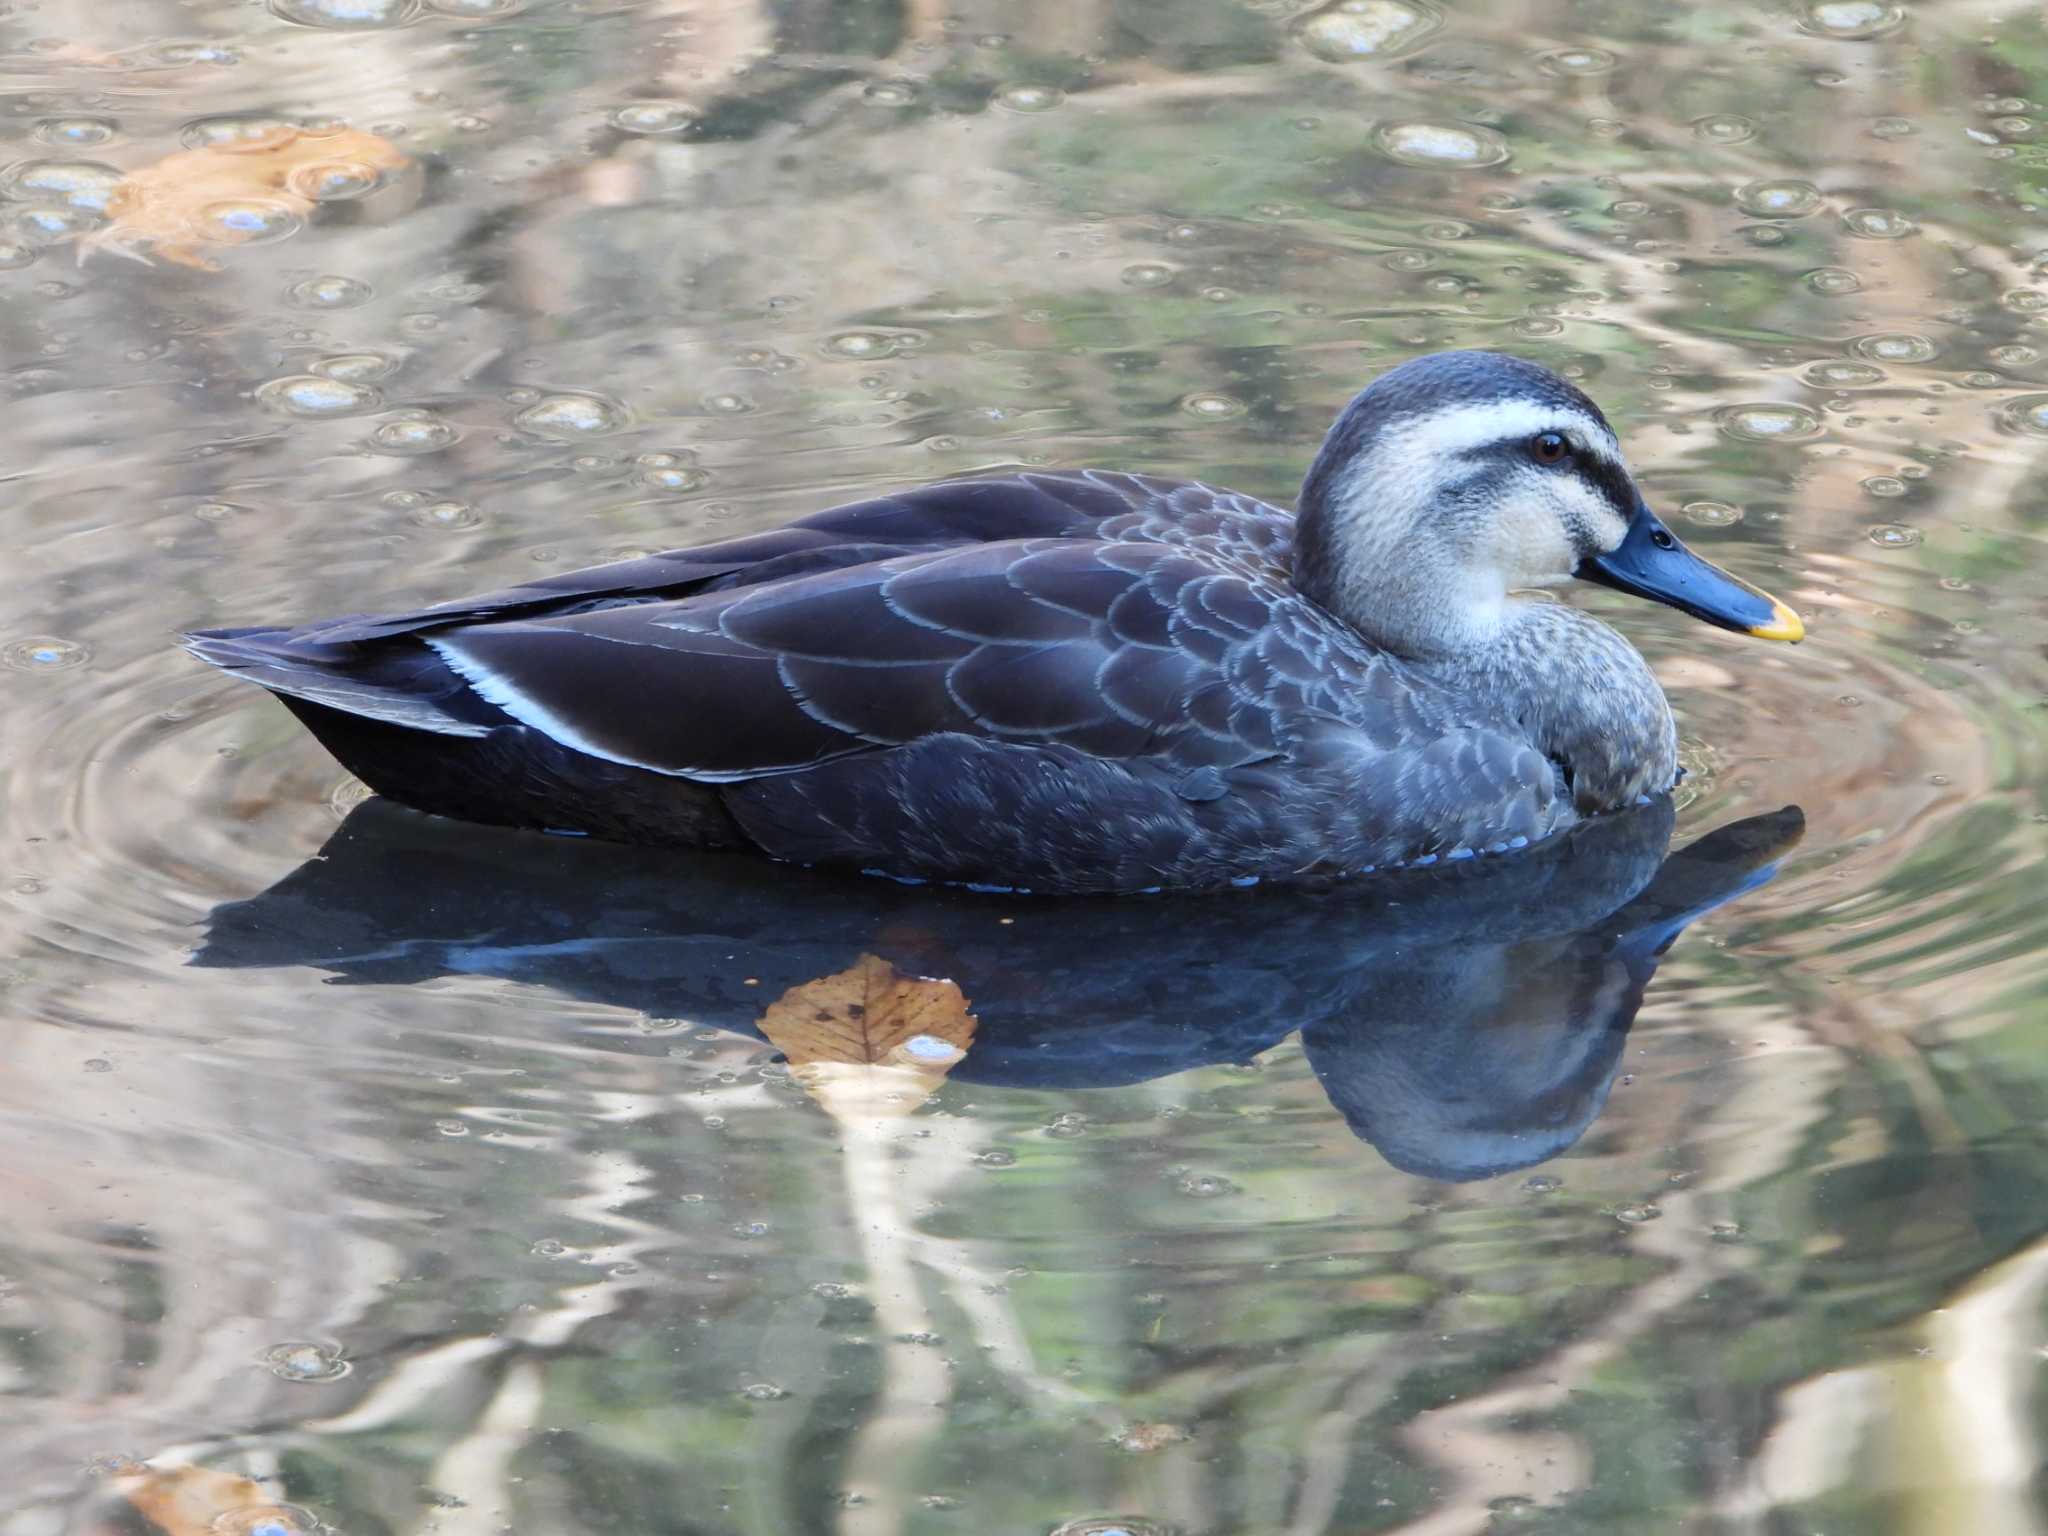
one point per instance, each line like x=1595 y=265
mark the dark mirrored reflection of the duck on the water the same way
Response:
x=1465 y=1021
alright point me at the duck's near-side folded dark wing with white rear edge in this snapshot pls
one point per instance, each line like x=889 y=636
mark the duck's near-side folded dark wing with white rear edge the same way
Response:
x=1115 y=650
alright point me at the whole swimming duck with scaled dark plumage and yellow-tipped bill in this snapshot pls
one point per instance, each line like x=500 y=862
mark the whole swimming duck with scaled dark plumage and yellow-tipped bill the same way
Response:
x=1074 y=683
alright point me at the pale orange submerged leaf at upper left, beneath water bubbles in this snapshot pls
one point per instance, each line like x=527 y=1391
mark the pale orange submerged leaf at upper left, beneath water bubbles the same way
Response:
x=239 y=191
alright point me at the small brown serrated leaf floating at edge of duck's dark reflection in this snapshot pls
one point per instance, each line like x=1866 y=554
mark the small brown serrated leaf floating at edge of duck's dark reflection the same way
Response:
x=869 y=1039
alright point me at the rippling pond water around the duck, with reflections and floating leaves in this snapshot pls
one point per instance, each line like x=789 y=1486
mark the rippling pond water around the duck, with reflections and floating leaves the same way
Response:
x=374 y=1175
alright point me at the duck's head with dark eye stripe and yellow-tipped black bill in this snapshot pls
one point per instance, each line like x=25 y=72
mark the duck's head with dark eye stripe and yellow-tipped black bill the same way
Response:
x=1459 y=478
